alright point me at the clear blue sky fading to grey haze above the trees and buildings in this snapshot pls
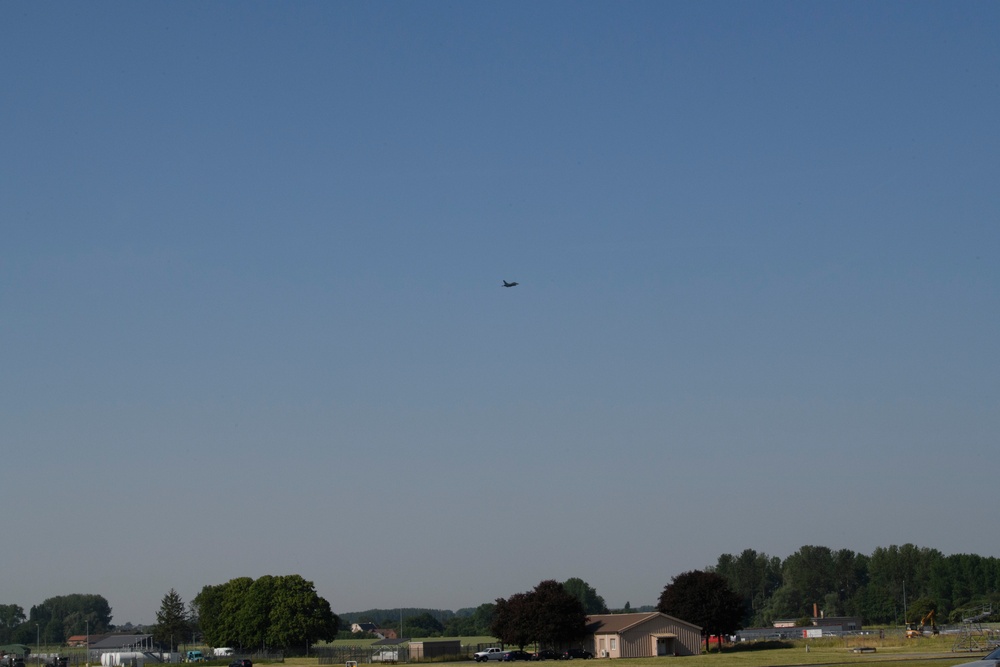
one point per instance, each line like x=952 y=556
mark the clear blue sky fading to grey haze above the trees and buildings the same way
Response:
x=252 y=321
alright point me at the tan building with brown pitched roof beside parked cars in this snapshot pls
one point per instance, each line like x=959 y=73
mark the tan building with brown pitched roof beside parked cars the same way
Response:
x=642 y=635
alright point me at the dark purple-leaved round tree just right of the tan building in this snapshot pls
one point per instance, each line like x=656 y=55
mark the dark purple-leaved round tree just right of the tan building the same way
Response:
x=705 y=599
